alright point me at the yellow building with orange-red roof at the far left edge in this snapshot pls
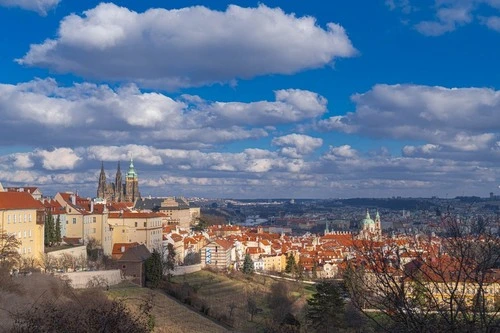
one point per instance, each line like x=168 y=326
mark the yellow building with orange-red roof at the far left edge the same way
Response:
x=24 y=217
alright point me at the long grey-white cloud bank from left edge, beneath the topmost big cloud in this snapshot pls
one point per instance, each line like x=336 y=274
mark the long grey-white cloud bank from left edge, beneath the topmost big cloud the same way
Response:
x=90 y=113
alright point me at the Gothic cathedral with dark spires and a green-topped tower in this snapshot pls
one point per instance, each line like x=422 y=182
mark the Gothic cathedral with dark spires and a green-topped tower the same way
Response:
x=119 y=191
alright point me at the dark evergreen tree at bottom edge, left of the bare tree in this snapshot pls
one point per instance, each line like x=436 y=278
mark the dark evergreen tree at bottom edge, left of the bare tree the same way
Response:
x=325 y=311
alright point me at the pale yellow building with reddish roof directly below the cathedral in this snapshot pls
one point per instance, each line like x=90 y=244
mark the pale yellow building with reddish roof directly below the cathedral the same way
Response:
x=143 y=228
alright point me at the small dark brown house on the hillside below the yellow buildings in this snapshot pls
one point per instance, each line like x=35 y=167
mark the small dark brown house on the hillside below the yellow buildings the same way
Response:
x=132 y=264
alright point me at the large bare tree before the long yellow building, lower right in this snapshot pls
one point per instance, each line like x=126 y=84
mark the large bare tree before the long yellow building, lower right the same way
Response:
x=433 y=283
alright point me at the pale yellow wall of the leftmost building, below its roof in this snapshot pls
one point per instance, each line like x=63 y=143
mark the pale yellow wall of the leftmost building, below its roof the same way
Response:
x=22 y=224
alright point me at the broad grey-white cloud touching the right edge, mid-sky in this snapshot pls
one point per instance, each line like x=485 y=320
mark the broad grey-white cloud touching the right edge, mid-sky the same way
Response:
x=465 y=119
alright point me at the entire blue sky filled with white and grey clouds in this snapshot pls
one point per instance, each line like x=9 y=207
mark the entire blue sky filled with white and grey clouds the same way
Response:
x=253 y=99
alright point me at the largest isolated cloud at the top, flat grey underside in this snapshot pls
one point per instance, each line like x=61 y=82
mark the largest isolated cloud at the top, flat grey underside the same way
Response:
x=186 y=47
